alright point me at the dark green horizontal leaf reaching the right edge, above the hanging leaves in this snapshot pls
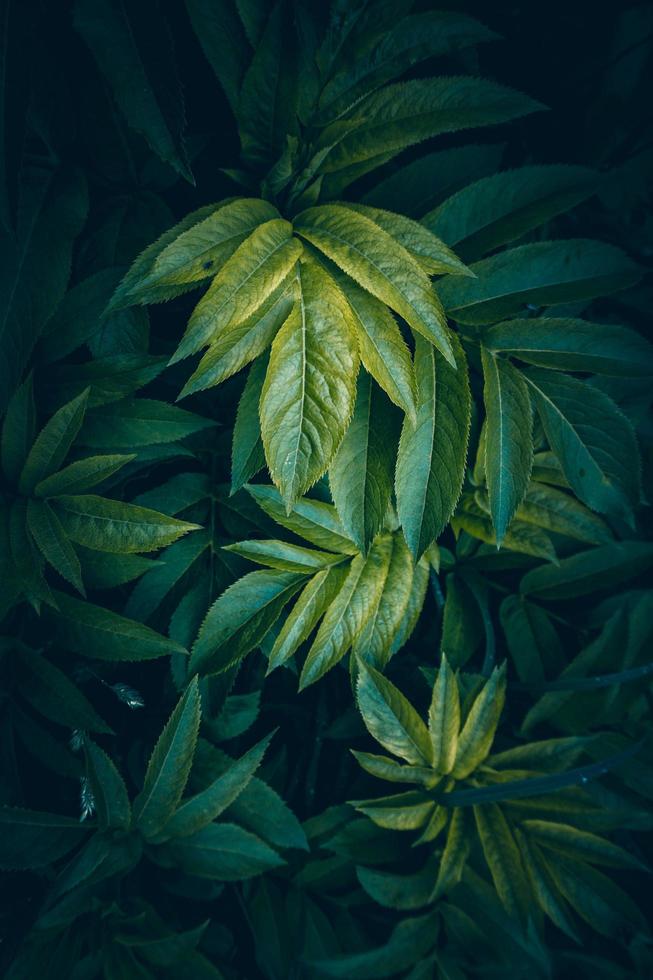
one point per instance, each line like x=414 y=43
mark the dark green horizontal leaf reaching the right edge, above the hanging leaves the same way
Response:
x=573 y=345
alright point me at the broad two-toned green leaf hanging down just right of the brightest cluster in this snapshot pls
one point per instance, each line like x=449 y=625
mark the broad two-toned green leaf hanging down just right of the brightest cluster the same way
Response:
x=433 y=451
